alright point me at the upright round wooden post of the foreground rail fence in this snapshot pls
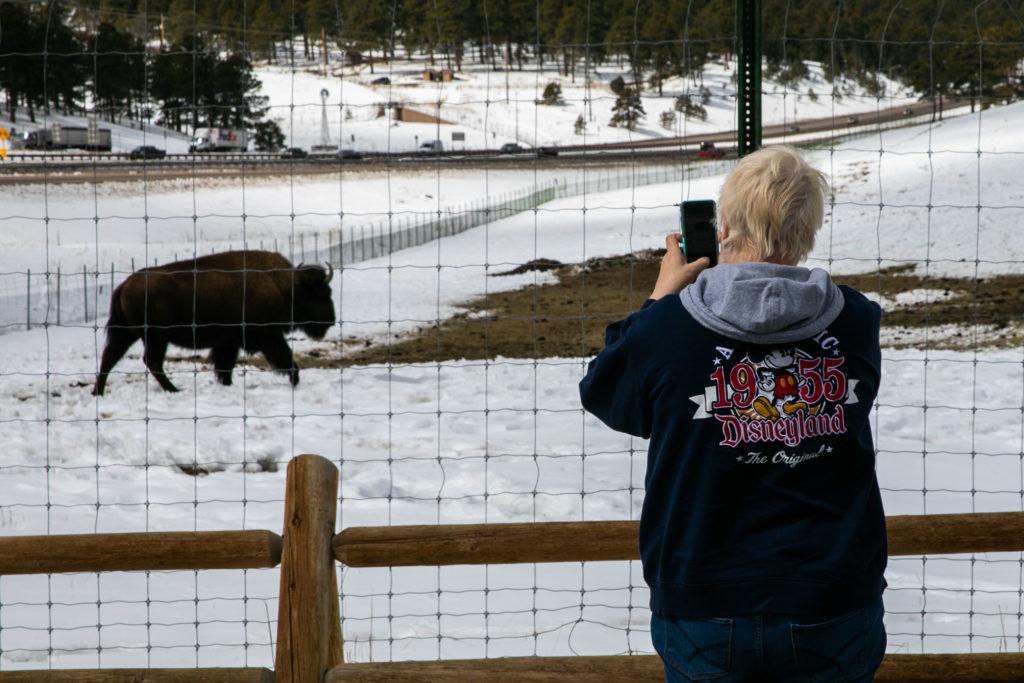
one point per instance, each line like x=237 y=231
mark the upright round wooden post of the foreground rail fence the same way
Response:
x=309 y=616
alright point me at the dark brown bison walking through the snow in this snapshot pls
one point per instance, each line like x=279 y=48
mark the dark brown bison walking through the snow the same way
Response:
x=225 y=303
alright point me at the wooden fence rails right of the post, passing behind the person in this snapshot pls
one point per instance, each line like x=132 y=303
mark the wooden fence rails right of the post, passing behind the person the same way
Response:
x=599 y=541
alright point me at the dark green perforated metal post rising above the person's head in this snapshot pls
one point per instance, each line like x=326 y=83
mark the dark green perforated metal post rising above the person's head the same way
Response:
x=748 y=76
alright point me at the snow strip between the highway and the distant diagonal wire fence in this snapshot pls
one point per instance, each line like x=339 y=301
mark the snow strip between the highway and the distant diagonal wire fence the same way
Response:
x=125 y=223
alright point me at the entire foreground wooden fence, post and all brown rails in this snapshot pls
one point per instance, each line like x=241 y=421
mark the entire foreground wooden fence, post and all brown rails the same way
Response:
x=309 y=644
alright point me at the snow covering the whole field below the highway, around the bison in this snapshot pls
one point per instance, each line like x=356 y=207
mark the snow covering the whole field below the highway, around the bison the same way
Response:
x=471 y=442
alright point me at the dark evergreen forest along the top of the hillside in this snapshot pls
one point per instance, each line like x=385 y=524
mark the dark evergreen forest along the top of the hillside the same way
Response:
x=185 y=64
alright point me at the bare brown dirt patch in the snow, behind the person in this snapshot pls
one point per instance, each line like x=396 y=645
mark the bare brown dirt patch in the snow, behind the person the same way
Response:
x=568 y=318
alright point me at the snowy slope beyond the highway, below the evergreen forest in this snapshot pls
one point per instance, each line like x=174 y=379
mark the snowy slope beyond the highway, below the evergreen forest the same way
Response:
x=495 y=107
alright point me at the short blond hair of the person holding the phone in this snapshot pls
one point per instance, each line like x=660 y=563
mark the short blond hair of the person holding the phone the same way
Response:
x=775 y=204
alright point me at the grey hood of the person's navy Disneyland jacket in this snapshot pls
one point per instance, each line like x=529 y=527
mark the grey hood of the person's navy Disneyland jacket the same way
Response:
x=763 y=304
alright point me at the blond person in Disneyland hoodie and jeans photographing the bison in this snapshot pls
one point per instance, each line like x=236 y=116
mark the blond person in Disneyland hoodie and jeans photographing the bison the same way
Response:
x=762 y=534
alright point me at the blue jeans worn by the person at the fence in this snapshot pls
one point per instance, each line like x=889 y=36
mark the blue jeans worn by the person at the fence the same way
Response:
x=773 y=648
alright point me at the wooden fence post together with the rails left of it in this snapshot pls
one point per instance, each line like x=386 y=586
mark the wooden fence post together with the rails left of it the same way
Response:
x=310 y=624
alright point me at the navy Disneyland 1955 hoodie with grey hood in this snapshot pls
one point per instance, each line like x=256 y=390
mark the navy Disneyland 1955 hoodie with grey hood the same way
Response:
x=755 y=387
